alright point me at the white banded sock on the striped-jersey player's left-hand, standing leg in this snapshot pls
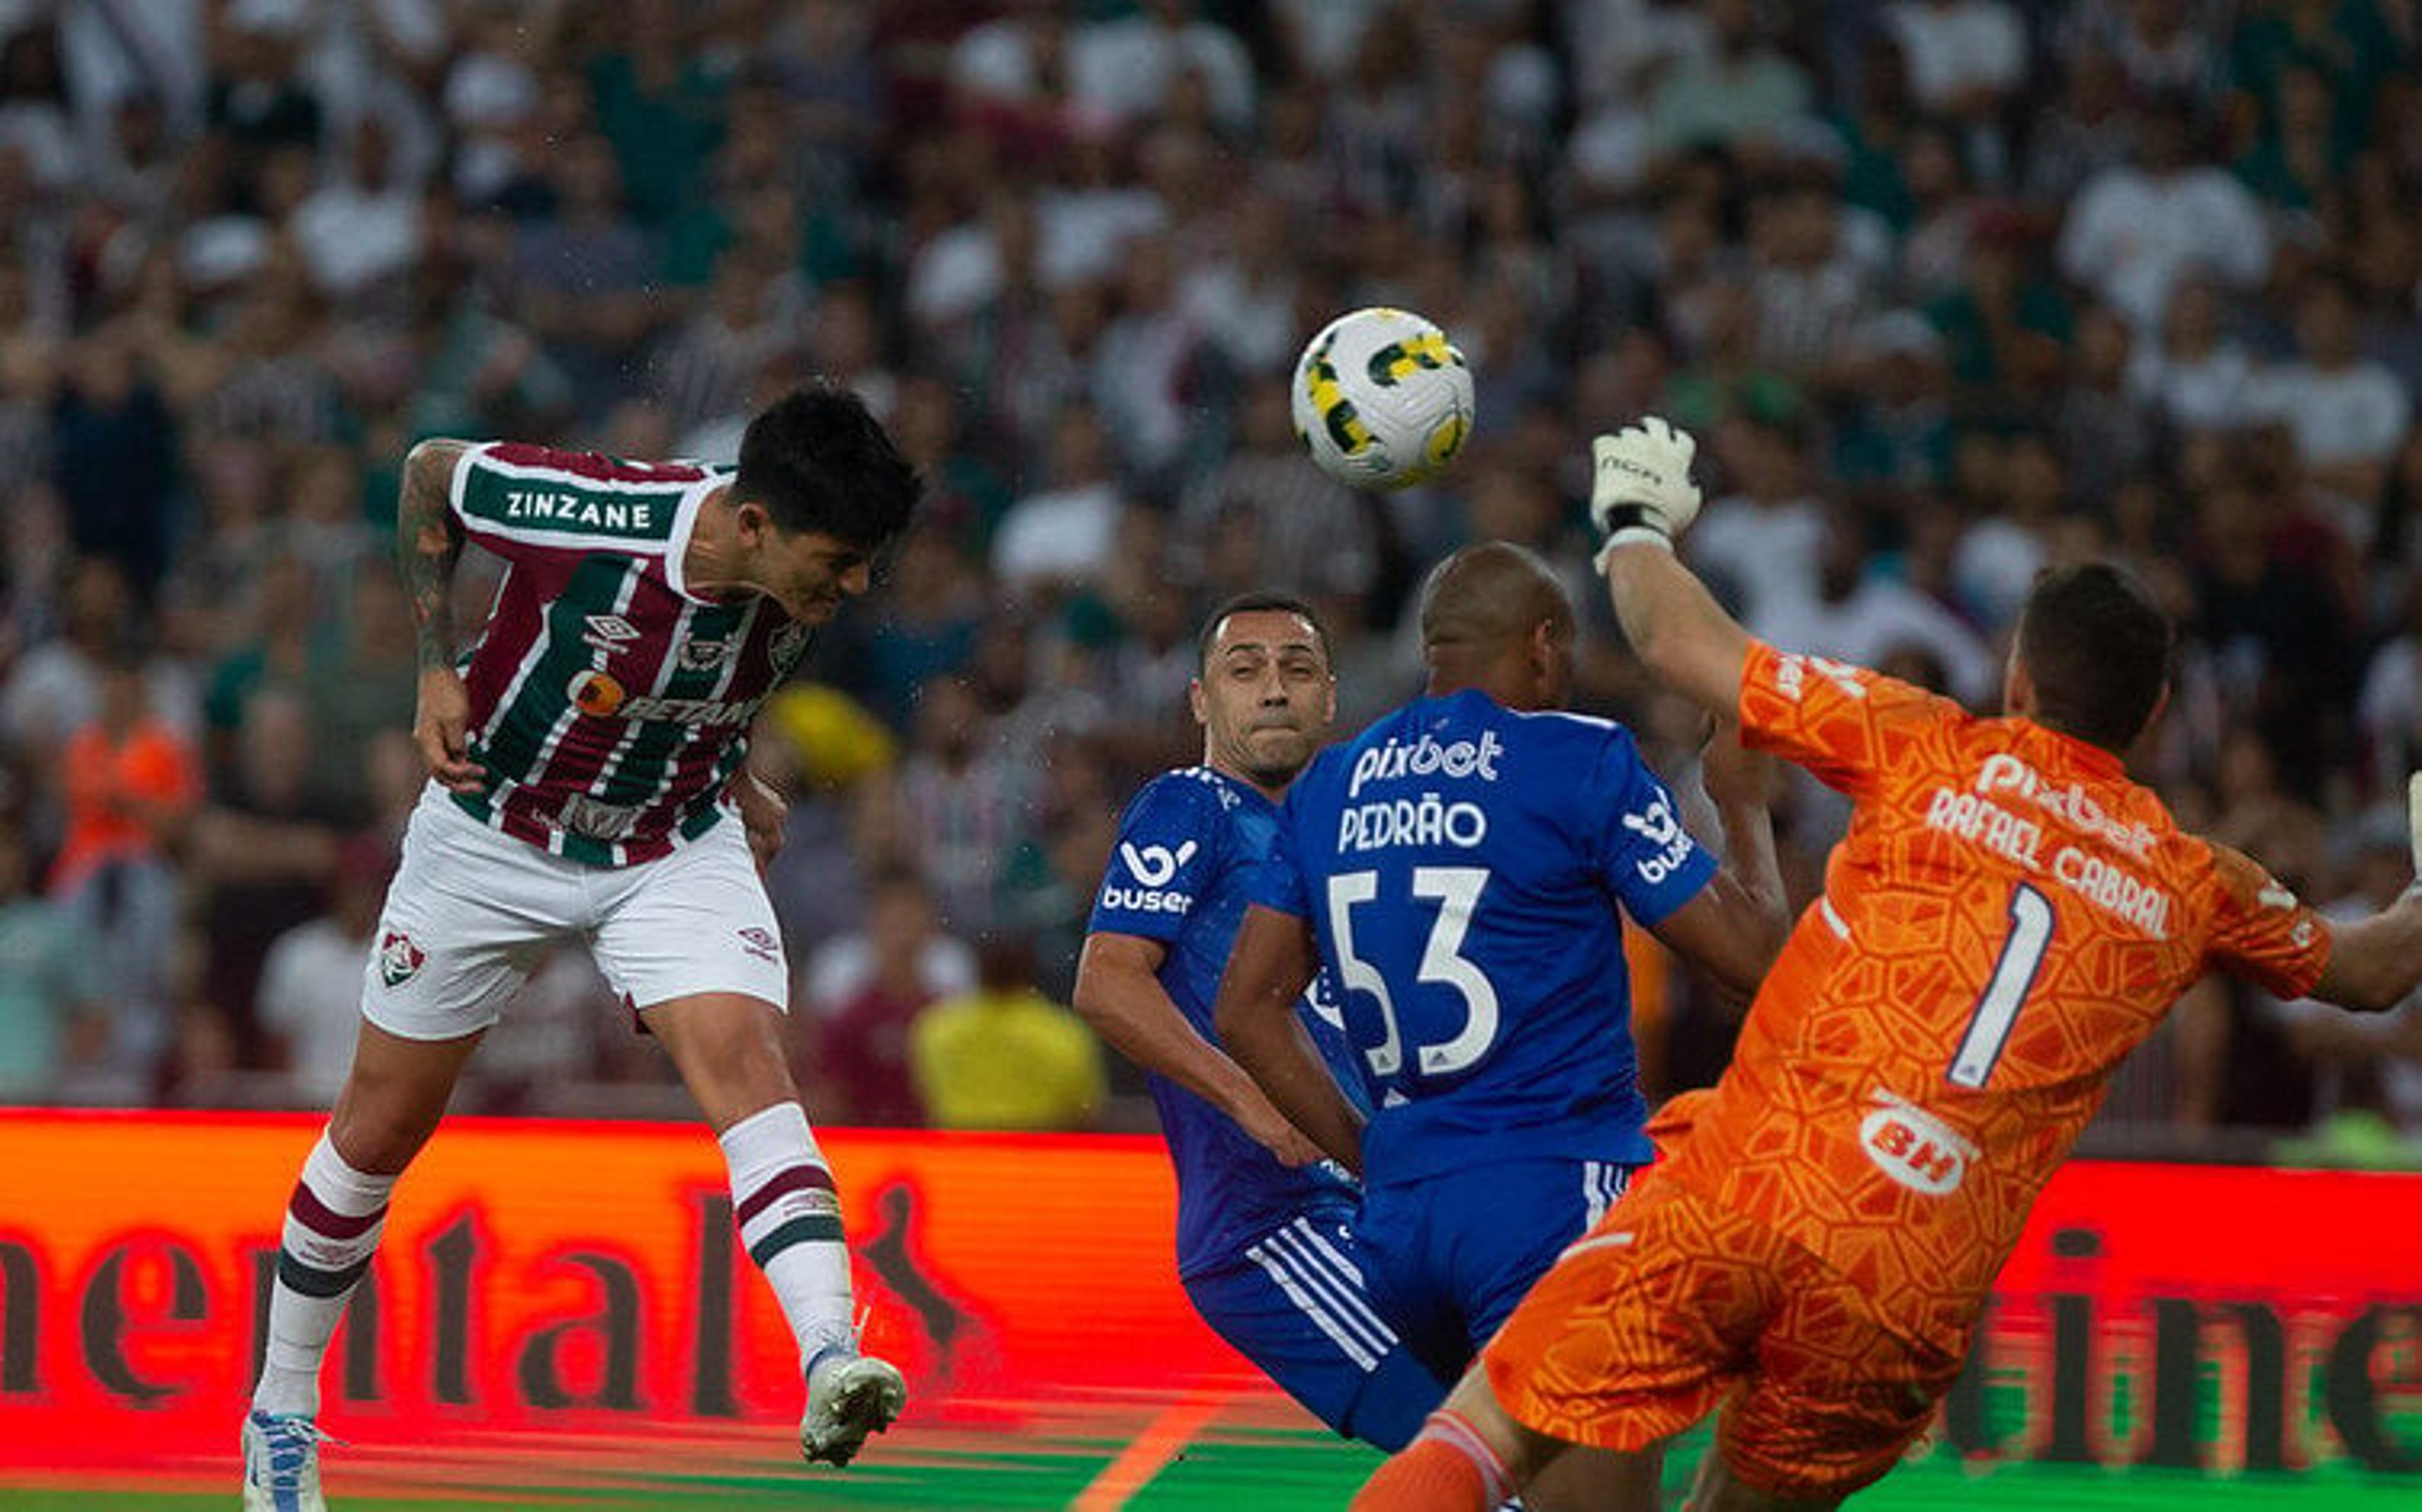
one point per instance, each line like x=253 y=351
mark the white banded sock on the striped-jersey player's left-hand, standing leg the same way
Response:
x=333 y=1225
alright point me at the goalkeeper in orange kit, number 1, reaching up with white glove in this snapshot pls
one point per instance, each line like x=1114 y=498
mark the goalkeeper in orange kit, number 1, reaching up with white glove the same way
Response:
x=2007 y=917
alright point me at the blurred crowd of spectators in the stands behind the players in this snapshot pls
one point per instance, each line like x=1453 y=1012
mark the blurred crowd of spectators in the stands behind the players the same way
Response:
x=1946 y=287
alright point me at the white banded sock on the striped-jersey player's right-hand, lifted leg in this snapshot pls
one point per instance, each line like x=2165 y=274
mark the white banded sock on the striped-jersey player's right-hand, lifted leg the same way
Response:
x=791 y=1225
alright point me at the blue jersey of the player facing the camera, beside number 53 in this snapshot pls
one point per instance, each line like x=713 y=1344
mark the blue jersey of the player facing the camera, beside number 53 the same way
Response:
x=1188 y=847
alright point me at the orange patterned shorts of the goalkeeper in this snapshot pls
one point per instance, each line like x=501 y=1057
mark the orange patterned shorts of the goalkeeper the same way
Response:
x=1675 y=1307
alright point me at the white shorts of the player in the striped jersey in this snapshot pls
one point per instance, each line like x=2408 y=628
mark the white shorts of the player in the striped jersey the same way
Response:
x=474 y=912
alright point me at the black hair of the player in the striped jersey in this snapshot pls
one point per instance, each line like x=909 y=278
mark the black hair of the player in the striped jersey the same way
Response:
x=820 y=462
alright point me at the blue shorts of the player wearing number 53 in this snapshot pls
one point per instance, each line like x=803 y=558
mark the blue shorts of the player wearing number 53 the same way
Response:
x=1452 y=1254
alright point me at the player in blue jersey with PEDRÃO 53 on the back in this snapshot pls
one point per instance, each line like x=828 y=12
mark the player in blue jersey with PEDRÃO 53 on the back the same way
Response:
x=1459 y=866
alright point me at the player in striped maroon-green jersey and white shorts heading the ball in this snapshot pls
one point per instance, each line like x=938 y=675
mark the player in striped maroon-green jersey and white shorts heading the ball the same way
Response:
x=587 y=781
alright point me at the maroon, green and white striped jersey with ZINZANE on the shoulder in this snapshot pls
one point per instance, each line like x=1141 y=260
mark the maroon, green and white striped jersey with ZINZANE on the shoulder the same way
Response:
x=609 y=706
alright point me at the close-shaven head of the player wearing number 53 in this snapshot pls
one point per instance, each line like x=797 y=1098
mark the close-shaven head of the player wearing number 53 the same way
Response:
x=1498 y=619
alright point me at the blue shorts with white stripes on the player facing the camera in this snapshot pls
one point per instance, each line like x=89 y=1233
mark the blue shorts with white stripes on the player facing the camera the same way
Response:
x=1297 y=1307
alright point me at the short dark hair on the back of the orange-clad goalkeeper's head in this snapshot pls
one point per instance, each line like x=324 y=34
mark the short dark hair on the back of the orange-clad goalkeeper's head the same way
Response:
x=2099 y=651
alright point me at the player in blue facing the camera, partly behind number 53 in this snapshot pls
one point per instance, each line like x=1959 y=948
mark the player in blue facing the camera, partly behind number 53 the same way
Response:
x=1265 y=1242
